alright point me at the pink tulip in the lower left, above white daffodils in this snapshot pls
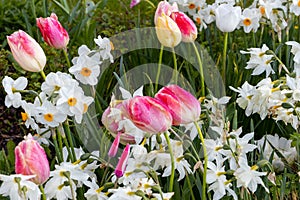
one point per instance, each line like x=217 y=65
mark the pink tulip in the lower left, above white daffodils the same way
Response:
x=31 y=159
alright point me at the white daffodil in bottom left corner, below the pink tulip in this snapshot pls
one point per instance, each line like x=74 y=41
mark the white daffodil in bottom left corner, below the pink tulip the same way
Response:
x=12 y=186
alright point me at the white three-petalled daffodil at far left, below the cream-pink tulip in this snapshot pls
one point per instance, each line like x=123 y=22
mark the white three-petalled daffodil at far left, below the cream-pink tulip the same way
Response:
x=11 y=87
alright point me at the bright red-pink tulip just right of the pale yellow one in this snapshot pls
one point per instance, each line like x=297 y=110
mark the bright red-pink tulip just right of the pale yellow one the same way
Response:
x=187 y=27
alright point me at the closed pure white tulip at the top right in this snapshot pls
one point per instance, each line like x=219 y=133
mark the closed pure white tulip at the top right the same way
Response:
x=228 y=17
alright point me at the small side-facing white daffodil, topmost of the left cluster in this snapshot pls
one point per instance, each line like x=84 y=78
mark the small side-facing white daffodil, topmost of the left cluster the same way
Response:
x=105 y=47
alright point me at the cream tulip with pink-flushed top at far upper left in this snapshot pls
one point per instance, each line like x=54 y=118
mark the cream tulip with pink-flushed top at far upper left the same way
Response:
x=26 y=51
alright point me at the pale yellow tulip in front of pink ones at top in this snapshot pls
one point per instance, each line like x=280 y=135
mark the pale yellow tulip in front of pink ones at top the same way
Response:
x=167 y=31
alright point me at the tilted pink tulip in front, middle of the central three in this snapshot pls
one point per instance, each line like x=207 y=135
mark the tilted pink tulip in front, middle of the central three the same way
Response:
x=148 y=114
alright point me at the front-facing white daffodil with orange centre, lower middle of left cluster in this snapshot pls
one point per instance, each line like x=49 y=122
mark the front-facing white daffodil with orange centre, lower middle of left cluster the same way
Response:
x=50 y=115
